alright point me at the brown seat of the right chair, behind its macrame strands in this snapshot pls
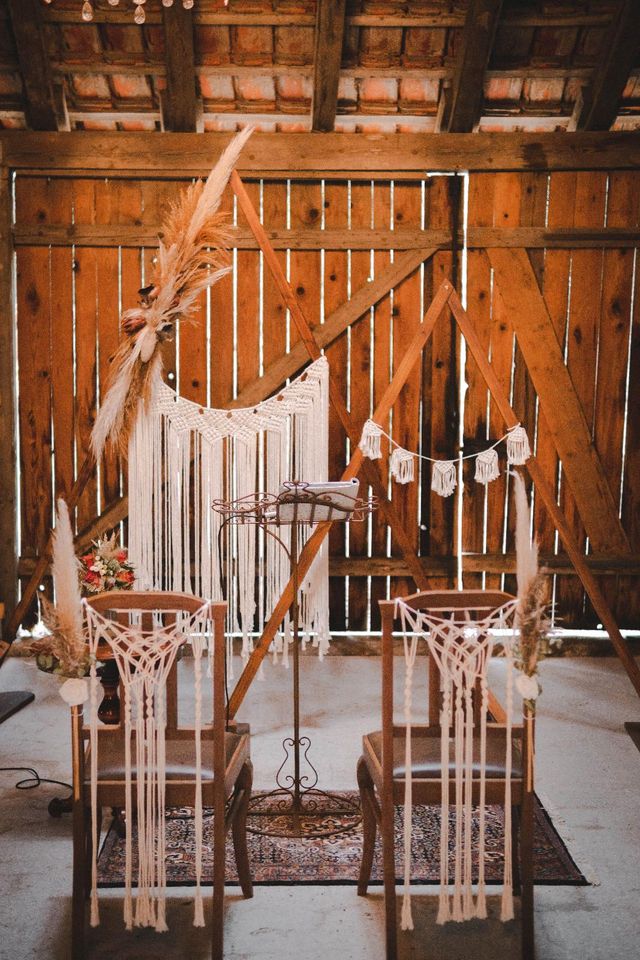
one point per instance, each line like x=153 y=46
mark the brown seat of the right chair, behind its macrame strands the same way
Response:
x=425 y=755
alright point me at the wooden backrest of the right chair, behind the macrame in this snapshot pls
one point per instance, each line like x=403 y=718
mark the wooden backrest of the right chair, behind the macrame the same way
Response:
x=459 y=604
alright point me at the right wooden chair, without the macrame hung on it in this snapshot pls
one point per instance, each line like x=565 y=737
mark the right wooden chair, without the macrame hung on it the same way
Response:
x=381 y=768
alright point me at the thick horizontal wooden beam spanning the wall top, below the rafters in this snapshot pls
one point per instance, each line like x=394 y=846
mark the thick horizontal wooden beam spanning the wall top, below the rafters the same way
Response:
x=306 y=155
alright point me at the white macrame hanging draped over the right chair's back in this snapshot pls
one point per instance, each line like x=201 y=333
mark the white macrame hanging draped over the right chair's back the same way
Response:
x=461 y=650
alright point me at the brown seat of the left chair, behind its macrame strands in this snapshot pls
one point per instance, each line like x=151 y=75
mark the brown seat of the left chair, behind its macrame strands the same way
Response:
x=180 y=758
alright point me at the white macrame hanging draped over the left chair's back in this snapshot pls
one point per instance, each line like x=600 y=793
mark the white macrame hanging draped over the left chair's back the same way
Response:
x=144 y=659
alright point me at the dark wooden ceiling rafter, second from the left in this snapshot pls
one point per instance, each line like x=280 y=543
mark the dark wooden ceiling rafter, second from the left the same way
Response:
x=179 y=101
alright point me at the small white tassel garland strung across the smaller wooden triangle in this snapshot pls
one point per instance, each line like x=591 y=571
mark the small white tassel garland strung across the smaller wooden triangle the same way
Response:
x=444 y=472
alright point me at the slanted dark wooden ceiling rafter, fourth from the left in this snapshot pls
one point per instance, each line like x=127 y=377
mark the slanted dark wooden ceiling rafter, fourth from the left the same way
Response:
x=463 y=105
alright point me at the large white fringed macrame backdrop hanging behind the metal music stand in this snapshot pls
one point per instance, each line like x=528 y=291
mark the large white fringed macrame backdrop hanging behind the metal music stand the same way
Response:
x=183 y=456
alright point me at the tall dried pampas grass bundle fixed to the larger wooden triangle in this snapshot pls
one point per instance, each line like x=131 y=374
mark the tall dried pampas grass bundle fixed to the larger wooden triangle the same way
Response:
x=192 y=255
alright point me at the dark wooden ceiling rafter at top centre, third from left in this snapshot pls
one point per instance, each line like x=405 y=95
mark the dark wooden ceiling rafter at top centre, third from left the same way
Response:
x=327 y=62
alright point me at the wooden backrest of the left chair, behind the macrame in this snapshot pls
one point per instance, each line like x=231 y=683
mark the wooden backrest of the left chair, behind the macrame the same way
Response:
x=150 y=611
